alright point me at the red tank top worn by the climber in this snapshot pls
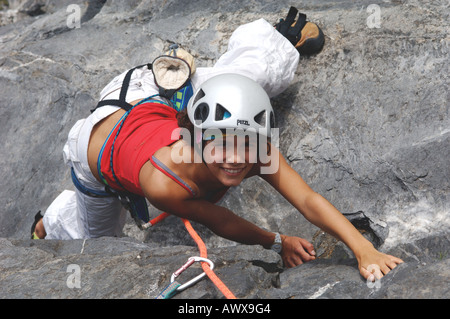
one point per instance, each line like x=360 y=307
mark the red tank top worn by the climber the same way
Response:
x=147 y=128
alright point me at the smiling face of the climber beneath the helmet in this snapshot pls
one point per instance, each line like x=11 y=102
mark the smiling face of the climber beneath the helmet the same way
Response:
x=230 y=158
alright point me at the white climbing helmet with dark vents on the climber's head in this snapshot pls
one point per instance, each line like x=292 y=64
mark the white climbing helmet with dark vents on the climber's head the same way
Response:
x=231 y=101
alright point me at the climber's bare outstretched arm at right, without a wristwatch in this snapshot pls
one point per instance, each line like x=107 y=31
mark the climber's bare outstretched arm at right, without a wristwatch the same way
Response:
x=321 y=213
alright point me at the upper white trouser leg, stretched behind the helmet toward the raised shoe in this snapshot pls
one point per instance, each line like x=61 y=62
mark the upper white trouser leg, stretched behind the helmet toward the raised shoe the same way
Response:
x=256 y=50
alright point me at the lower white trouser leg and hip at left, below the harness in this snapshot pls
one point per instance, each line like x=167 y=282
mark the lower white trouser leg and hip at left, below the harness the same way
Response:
x=74 y=215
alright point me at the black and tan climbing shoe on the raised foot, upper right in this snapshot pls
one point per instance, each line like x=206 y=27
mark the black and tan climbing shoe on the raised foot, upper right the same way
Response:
x=306 y=36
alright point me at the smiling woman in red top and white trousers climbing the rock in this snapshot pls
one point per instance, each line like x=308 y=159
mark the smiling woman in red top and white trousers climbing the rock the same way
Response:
x=143 y=149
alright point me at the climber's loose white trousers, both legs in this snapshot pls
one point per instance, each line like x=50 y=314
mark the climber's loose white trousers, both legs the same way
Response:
x=255 y=50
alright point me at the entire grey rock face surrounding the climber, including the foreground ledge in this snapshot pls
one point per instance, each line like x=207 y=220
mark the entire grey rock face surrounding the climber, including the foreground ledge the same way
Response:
x=365 y=123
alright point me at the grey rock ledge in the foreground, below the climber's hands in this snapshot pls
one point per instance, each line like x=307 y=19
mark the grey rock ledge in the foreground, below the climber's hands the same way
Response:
x=127 y=268
